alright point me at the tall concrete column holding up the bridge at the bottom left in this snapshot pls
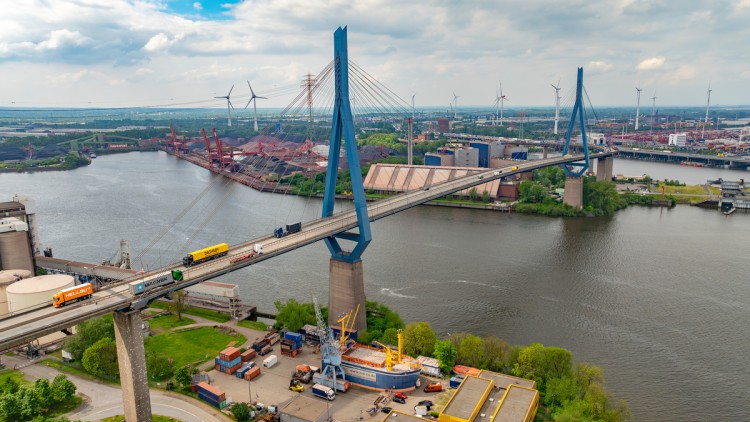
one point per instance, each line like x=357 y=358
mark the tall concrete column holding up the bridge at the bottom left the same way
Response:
x=131 y=357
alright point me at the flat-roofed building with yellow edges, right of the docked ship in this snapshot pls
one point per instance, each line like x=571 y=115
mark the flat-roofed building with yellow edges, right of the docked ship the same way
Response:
x=492 y=396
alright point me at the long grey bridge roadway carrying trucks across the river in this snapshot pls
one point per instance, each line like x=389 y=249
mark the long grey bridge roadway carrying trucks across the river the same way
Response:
x=20 y=329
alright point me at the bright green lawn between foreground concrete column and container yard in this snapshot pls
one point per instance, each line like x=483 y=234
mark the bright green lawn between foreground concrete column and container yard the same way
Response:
x=191 y=346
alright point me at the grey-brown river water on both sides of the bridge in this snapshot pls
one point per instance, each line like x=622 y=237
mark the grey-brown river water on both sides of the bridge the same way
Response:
x=659 y=298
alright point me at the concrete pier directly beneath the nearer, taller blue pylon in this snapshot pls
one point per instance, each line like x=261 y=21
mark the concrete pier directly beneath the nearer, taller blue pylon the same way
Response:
x=346 y=290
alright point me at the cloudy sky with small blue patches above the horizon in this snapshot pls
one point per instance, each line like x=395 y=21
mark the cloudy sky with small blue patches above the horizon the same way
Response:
x=135 y=53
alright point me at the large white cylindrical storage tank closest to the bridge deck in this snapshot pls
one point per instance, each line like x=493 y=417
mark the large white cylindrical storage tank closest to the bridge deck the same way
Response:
x=35 y=291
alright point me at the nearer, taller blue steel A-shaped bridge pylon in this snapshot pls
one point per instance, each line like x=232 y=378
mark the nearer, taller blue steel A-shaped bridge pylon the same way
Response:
x=343 y=127
